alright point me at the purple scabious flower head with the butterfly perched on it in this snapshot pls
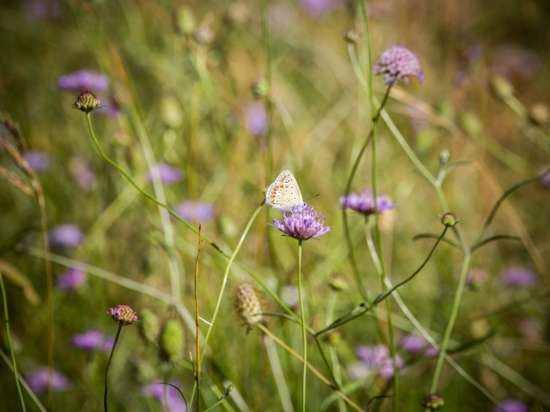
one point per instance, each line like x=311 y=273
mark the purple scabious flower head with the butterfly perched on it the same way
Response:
x=302 y=223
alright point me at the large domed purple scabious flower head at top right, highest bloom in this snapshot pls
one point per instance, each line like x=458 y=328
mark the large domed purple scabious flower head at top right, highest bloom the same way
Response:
x=398 y=63
